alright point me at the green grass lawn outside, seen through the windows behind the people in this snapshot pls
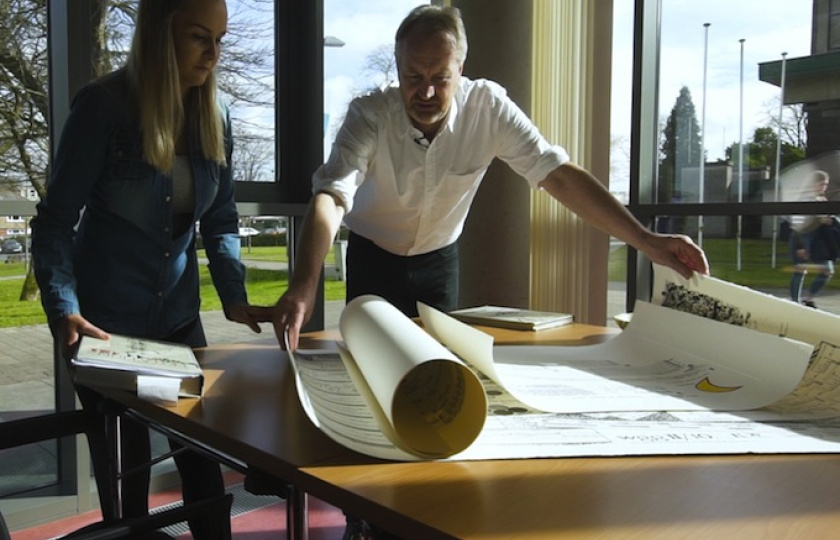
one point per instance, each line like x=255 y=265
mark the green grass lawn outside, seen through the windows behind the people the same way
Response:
x=265 y=286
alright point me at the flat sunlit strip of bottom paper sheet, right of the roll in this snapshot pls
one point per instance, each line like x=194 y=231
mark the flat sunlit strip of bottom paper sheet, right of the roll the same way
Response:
x=513 y=430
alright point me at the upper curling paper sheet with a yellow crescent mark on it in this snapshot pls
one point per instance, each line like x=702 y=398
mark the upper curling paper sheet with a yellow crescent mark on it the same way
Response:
x=655 y=364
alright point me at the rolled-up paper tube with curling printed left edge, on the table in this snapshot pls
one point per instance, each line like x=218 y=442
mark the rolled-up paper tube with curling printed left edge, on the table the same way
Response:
x=422 y=399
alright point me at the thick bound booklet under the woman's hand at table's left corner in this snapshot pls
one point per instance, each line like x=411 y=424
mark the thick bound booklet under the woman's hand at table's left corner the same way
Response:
x=119 y=361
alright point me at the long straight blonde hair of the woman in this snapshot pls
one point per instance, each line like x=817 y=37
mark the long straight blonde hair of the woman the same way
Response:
x=155 y=82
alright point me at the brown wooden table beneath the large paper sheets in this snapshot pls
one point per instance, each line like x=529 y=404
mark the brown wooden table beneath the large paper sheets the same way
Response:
x=250 y=412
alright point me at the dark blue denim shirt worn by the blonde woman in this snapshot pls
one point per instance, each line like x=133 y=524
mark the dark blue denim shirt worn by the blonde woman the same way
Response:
x=120 y=266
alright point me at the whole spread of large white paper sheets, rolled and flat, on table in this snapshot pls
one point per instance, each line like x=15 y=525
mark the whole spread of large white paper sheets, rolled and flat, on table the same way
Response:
x=398 y=391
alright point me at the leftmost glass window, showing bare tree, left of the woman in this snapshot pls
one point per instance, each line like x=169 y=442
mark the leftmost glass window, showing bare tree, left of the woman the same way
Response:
x=26 y=388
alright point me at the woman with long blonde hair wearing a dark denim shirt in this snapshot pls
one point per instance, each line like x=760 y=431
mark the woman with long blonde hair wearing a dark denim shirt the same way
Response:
x=146 y=154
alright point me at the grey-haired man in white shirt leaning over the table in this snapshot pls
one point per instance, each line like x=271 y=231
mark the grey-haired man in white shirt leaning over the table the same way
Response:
x=404 y=169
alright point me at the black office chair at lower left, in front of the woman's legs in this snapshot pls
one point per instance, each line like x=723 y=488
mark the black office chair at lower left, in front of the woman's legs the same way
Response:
x=53 y=426
